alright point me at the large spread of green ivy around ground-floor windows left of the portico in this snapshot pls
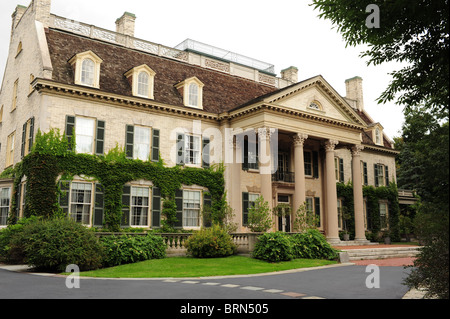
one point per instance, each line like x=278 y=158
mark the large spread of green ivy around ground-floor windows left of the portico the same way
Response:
x=52 y=156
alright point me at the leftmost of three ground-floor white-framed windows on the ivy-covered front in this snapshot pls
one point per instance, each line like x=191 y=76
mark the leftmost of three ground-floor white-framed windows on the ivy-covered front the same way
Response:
x=80 y=202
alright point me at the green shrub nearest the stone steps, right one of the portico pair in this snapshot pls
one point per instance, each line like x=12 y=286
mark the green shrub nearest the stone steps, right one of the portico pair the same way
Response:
x=312 y=244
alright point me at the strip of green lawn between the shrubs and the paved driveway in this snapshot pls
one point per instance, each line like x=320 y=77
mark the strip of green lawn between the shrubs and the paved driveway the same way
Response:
x=177 y=267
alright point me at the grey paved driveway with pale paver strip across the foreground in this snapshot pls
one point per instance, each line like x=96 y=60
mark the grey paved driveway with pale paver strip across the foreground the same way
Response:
x=331 y=282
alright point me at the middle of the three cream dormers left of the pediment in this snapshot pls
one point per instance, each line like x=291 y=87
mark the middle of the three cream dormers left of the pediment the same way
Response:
x=142 y=80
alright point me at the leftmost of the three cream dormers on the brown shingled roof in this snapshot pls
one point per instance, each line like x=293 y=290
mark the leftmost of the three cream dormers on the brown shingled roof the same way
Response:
x=87 y=69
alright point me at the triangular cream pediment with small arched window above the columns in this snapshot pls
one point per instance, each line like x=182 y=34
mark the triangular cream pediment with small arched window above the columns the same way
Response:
x=317 y=97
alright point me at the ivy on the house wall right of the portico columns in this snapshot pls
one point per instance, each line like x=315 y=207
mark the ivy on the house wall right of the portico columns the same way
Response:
x=373 y=196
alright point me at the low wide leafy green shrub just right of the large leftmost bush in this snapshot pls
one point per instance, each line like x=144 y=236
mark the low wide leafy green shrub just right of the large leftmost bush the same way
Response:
x=126 y=249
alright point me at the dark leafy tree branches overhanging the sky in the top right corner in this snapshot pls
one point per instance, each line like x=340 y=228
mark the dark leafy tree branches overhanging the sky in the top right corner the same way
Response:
x=415 y=32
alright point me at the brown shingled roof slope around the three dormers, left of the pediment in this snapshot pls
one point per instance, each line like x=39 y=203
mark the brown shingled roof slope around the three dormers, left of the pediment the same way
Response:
x=222 y=92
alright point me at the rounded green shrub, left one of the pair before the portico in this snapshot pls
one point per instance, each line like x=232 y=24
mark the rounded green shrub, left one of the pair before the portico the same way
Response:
x=273 y=247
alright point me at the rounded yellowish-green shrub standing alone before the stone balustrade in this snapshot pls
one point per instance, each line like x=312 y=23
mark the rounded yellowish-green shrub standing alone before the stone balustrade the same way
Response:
x=211 y=243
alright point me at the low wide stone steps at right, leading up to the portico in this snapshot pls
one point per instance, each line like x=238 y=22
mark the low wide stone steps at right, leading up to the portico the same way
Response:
x=381 y=253
